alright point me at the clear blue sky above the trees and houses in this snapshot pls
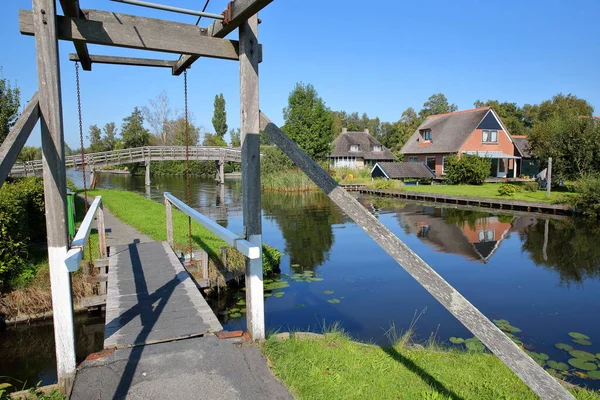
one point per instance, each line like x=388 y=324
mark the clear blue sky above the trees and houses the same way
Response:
x=378 y=57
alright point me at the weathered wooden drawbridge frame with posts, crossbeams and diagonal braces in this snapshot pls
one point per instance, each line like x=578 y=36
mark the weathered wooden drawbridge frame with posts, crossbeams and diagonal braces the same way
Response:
x=192 y=42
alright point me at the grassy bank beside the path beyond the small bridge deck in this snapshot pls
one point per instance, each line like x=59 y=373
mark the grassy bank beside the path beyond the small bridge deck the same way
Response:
x=149 y=217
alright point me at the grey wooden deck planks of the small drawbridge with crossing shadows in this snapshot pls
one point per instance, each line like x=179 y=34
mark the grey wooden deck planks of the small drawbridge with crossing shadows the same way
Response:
x=151 y=298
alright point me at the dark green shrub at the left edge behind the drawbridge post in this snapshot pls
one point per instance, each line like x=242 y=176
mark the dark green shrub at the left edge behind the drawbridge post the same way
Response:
x=21 y=221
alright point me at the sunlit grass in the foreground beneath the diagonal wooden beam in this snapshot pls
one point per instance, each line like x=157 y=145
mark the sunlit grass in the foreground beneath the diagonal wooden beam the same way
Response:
x=335 y=367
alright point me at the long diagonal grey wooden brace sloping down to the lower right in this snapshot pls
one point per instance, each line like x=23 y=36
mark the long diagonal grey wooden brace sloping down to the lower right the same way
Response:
x=501 y=345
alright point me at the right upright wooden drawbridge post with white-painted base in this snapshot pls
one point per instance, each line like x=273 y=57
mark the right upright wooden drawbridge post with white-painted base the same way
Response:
x=250 y=136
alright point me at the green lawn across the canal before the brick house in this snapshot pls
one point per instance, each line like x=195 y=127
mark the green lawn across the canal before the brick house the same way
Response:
x=488 y=190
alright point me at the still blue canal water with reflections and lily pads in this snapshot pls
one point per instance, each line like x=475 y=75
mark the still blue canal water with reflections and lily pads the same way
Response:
x=539 y=274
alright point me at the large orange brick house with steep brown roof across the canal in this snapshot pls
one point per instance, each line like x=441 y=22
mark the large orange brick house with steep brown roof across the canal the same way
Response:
x=479 y=131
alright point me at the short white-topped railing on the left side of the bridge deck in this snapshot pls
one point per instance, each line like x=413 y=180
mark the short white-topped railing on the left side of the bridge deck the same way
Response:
x=77 y=248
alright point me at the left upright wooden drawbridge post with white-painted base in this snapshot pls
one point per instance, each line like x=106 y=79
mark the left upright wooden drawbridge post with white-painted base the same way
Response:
x=55 y=188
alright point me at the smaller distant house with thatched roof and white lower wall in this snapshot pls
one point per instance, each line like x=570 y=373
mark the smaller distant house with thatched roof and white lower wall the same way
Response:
x=358 y=150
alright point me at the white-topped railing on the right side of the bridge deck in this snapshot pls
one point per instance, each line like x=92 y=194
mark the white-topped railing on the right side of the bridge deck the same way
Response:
x=248 y=249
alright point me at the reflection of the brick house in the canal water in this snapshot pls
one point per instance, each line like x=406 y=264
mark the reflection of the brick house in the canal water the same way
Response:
x=474 y=235
